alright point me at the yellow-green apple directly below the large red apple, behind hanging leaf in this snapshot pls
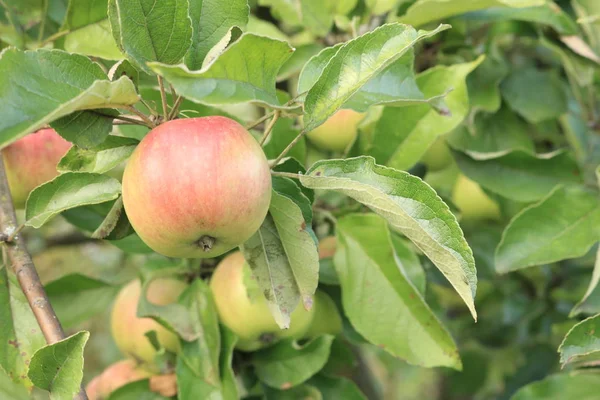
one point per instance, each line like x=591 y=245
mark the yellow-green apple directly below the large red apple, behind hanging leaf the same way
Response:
x=243 y=308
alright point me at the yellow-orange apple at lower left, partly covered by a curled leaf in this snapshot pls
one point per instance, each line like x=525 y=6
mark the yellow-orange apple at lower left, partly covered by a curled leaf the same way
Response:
x=128 y=330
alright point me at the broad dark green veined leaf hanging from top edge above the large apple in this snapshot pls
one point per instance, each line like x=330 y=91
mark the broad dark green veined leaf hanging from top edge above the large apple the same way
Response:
x=146 y=30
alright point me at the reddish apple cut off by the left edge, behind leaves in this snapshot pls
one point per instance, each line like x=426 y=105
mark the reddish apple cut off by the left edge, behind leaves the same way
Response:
x=31 y=161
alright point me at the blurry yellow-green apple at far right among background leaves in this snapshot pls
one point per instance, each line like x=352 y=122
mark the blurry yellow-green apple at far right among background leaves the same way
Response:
x=472 y=201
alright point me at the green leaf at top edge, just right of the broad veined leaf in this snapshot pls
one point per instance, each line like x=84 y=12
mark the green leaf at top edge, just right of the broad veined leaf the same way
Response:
x=211 y=20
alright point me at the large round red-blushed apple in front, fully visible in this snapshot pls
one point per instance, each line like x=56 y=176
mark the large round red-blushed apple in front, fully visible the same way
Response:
x=197 y=187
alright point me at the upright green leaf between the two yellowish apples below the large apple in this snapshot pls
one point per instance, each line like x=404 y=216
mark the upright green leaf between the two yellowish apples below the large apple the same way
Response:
x=198 y=367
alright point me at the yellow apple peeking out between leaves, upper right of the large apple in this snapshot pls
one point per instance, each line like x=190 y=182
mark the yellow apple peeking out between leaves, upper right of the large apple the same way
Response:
x=338 y=132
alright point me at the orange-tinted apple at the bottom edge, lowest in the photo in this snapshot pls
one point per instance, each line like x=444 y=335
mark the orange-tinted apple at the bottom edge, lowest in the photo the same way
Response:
x=118 y=374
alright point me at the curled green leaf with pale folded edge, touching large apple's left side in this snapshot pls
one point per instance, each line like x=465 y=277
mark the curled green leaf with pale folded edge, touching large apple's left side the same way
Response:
x=69 y=190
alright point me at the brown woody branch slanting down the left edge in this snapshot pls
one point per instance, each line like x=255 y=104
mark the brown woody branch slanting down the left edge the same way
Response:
x=24 y=269
